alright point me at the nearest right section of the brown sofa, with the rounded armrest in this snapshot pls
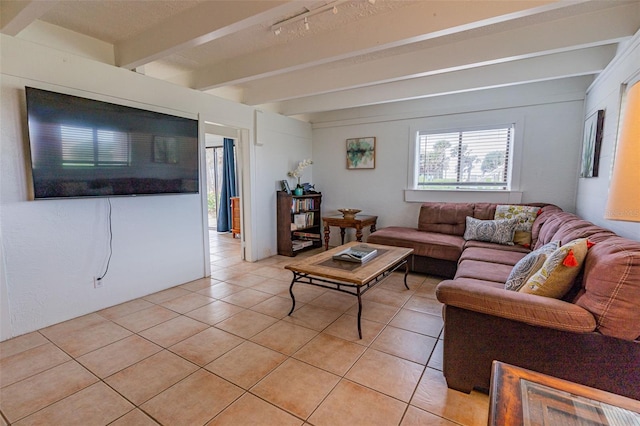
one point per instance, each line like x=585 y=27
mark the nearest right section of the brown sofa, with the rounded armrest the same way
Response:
x=588 y=337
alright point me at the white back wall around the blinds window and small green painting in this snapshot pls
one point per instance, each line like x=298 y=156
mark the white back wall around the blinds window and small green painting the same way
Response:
x=551 y=114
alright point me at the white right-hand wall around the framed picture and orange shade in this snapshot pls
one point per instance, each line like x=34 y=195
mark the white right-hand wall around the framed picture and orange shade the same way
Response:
x=605 y=93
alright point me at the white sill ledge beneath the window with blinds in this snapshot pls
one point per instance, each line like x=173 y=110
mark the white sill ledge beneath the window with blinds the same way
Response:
x=462 y=196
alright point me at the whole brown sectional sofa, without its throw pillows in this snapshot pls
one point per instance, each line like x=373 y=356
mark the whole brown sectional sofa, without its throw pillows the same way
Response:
x=591 y=336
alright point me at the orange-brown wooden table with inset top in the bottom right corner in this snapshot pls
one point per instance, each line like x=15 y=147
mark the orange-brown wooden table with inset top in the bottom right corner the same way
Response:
x=524 y=397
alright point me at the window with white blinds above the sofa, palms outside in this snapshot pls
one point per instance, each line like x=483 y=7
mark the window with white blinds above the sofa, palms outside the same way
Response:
x=468 y=159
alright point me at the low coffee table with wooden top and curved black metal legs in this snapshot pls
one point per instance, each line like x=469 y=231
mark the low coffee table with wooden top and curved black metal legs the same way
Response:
x=348 y=277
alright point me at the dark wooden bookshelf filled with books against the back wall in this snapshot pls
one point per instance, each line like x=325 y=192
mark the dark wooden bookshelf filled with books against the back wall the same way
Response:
x=299 y=223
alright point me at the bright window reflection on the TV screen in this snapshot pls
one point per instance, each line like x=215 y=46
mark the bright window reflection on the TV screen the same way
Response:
x=90 y=147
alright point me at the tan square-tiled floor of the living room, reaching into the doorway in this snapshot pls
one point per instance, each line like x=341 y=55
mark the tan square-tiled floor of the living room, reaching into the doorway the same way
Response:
x=222 y=351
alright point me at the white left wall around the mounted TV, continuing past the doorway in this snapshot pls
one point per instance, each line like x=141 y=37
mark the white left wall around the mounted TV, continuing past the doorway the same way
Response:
x=52 y=249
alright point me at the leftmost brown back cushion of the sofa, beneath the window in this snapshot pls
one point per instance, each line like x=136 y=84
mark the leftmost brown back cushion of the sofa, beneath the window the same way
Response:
x=445 y=218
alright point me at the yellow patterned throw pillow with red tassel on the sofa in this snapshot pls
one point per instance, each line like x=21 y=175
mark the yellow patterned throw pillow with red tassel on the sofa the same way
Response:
x=559 y=271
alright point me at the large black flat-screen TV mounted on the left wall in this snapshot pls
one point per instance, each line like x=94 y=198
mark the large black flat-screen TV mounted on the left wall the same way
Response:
x=86 y=148
